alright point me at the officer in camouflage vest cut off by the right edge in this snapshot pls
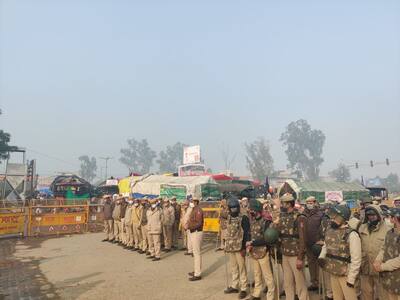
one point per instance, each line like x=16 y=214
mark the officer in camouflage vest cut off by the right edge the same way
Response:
x=387 y=262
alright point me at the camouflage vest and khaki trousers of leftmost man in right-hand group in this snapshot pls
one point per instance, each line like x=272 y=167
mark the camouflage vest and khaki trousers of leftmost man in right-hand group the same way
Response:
x=233 y=246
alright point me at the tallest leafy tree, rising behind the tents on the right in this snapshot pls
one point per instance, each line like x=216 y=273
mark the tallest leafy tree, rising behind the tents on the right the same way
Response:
x=304 y=148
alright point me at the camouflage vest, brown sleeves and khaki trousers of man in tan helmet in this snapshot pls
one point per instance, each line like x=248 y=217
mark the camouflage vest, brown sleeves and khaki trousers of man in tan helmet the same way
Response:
x=291 y=227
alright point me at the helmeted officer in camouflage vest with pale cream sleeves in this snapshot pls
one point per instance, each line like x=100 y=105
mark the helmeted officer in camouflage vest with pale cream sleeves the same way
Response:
x=341 y=254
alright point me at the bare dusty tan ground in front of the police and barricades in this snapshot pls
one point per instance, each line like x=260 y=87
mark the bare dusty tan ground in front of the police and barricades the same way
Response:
x=83 y=267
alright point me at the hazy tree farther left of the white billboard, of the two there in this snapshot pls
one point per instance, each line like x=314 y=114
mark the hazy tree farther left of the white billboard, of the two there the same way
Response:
x=138 y=156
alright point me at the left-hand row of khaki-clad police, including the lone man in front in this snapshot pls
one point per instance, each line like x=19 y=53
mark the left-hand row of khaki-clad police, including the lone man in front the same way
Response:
x=144 y=225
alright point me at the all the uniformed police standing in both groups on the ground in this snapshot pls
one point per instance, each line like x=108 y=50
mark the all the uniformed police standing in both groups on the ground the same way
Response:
x=349 y=254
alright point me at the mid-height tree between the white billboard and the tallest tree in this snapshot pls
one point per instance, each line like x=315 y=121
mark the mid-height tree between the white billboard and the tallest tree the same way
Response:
x=258 y=159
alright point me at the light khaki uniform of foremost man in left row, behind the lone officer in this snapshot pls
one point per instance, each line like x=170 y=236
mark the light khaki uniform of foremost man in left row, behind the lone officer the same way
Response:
x=154 y=228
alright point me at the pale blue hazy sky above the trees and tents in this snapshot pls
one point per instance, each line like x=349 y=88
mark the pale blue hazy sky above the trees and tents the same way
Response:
x=80 y=77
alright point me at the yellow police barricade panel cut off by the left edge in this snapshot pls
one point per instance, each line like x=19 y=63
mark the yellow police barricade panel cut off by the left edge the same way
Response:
x=12 y=221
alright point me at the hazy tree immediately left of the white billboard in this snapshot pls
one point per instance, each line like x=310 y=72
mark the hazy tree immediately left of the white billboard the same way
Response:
x=170 y=158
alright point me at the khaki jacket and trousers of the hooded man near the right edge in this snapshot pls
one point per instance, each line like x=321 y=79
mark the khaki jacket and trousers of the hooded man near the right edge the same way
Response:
x=371 y=243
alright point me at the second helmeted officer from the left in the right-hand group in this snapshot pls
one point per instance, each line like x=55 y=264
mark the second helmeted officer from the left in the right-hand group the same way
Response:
x=259 y=252
